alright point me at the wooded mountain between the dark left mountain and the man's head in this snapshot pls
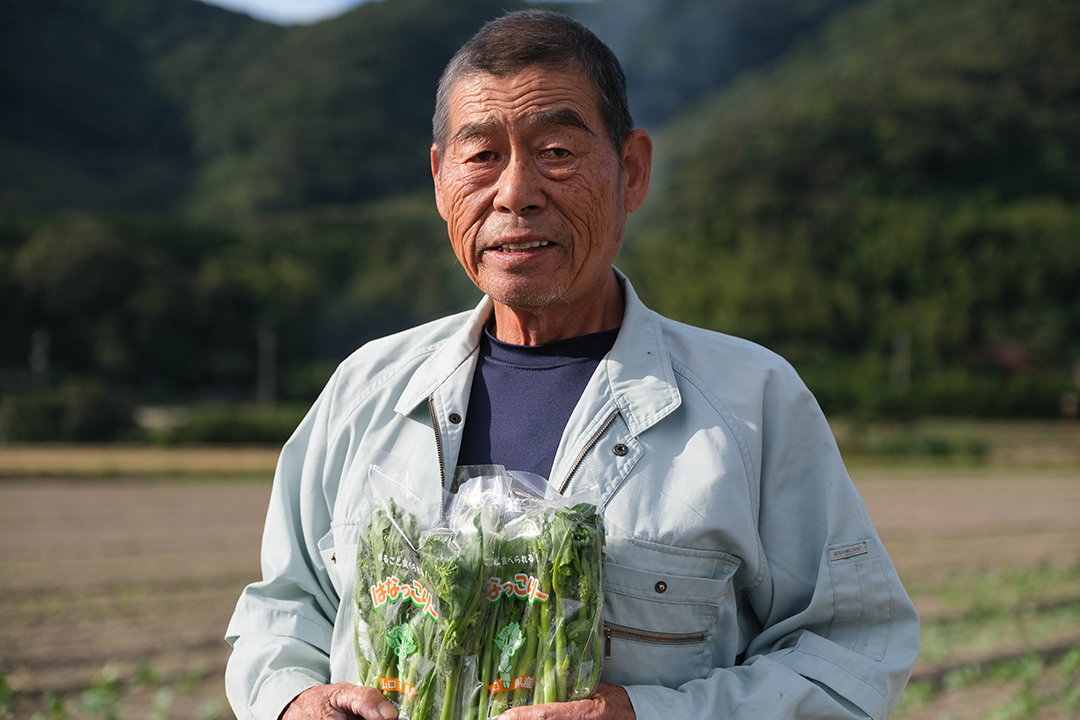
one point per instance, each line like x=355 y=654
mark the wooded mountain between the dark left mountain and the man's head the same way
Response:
x=337 y=113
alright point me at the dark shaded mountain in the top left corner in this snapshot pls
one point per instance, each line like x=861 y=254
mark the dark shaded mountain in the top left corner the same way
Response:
x=94 y=98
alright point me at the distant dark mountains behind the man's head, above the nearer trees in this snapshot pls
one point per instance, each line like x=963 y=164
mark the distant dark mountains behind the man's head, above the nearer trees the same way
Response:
x=175 y=106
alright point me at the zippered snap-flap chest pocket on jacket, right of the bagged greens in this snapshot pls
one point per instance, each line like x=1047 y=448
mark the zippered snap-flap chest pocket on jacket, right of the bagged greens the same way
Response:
x=664 y=629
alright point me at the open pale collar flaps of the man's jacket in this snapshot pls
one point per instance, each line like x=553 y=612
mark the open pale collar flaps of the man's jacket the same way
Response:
x=639 y=369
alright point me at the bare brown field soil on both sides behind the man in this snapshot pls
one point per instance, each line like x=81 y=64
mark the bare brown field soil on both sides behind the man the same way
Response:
x=145 y=575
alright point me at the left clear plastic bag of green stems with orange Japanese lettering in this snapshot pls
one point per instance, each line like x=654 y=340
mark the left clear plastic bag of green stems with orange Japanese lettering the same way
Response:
x=415 y=596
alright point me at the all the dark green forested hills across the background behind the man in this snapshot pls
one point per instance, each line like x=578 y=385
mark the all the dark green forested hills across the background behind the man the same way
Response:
x=885 y=192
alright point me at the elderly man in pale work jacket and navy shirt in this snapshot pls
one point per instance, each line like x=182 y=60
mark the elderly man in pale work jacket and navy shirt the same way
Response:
x=744 y=580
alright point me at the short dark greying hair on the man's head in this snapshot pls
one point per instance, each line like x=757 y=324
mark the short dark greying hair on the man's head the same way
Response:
x=538 y=38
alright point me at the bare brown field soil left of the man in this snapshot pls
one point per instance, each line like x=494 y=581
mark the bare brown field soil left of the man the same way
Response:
x=131 y=575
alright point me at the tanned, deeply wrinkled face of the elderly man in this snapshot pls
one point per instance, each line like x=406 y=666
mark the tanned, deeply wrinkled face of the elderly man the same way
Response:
x=532 y=188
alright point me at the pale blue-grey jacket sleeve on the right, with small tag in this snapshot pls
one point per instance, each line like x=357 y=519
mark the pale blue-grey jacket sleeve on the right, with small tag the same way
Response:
x=830 y=631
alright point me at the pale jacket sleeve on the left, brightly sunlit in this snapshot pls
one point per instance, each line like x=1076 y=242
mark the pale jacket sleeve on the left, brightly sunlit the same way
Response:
x=282 y=627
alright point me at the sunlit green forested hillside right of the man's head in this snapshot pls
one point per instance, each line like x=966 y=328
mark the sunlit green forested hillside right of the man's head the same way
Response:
x=897 y=205
